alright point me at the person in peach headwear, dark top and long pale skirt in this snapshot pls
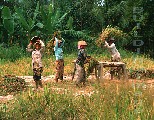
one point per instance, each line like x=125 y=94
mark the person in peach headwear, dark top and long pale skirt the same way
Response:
x=80 y=70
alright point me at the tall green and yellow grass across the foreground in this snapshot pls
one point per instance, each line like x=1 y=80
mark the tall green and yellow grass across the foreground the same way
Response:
x=108 y=102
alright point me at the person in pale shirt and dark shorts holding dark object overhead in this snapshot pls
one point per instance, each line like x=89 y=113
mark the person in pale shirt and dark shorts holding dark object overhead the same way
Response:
x=37 y=51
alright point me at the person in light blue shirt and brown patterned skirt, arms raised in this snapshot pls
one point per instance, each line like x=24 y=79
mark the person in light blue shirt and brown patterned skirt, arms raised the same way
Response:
x=59 y=58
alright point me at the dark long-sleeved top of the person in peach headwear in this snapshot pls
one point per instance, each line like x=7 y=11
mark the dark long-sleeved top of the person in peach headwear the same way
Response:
x=81 y=57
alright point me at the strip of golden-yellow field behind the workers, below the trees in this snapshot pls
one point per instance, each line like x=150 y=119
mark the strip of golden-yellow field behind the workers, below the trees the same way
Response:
x=22 y=65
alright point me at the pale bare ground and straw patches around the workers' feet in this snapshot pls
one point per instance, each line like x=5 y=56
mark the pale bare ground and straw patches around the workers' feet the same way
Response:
x=86 y=91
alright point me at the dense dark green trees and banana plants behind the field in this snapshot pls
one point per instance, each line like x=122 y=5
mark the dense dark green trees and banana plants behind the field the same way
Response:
x=79 y=19
